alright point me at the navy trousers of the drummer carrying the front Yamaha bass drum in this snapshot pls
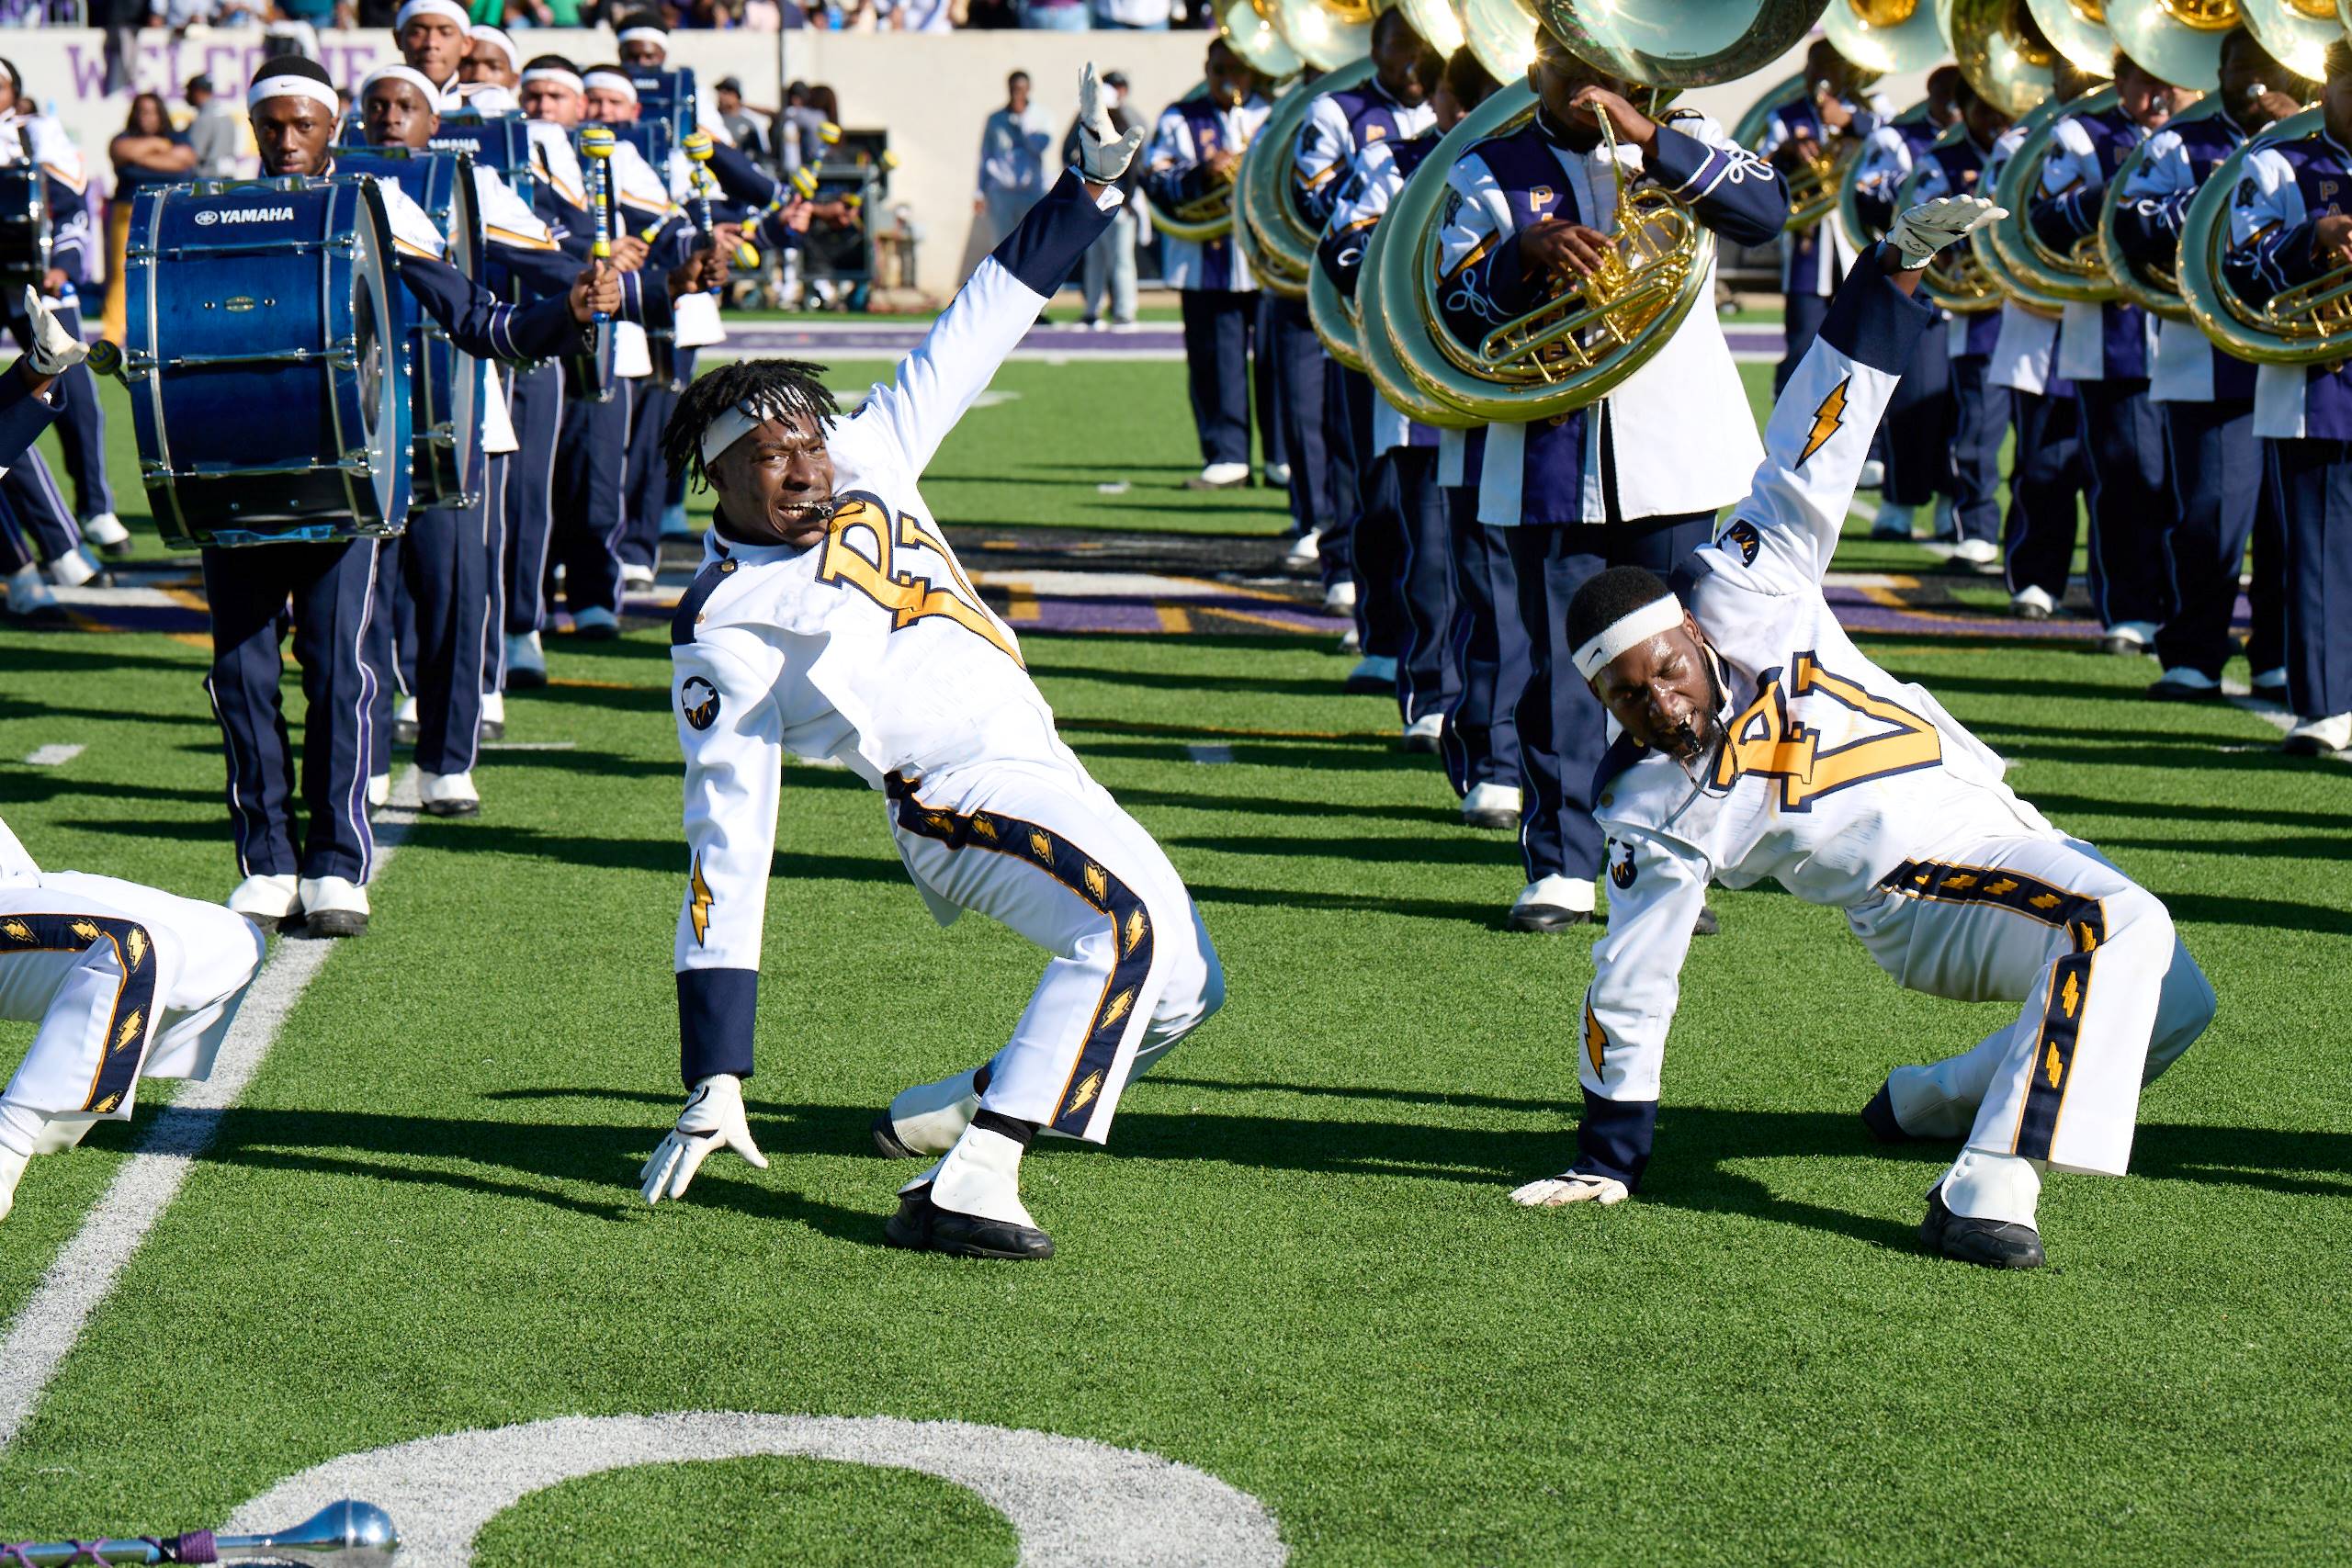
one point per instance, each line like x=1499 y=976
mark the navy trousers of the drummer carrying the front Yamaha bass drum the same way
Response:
x=328 y=596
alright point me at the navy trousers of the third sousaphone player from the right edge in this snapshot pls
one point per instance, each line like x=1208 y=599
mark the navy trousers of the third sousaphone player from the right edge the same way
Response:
x=2123 y=443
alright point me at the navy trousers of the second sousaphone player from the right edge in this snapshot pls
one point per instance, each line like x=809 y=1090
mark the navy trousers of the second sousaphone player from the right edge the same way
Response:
x=2221 y=485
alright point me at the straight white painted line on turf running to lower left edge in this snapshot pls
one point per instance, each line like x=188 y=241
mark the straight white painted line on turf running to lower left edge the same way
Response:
x=86 y=1271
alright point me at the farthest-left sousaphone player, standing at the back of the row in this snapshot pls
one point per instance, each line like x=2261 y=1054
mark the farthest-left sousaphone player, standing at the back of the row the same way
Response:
x=1198 y=149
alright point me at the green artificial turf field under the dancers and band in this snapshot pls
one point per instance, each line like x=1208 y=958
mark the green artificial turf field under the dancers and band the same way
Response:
x=1295 y=1268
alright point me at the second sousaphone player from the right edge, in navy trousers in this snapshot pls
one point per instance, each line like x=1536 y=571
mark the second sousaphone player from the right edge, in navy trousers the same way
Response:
x=2205 y=396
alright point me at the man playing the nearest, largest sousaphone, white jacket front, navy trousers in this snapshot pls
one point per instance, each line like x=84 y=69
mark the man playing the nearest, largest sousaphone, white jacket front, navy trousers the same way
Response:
x=1530 y=215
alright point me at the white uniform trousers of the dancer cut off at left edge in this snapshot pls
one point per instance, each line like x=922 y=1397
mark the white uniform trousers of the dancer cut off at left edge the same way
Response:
x=126 y=981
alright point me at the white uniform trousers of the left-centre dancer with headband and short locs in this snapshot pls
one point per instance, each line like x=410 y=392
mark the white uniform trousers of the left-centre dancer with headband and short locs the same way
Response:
x=1045 y=852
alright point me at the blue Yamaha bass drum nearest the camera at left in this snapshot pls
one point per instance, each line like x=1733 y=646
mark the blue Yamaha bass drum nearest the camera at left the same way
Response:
x=265 y=366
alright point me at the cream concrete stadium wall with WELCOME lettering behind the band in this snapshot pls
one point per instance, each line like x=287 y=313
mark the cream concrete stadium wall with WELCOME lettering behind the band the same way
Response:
x=928 y=91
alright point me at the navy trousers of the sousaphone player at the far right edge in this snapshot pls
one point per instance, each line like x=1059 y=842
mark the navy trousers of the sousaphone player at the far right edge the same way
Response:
x=2313 y=495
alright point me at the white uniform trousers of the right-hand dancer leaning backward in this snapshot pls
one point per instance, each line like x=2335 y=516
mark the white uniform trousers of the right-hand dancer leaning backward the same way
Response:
x=2109 y=993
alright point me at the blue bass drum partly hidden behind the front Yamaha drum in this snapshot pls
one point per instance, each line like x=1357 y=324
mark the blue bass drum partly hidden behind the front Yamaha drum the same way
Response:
x=446 y=387
